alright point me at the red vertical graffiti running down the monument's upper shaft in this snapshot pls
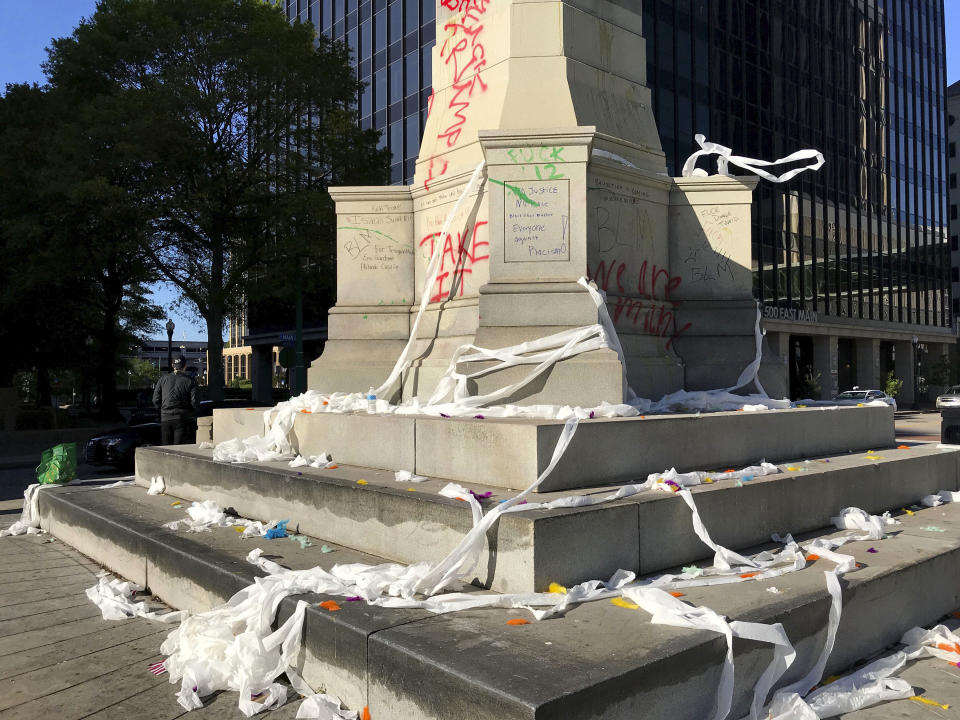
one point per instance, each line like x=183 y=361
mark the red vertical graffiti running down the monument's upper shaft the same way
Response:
x=463 y=49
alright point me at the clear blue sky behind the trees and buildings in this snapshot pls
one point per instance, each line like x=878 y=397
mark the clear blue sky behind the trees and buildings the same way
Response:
x=28 y=26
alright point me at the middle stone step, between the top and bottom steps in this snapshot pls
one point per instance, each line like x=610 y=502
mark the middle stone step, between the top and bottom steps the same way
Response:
x=366 y=509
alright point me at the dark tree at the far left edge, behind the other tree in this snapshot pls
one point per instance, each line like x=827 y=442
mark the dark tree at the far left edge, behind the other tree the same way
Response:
x=73 y=237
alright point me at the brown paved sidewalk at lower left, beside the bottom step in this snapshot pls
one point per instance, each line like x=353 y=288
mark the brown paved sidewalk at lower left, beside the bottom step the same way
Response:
x=61 y=659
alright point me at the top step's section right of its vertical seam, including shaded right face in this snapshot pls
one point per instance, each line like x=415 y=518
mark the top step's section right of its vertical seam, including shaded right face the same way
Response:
x=512 y=453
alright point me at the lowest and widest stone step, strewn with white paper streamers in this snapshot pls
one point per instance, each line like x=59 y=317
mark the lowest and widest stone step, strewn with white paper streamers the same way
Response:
x=598 y=661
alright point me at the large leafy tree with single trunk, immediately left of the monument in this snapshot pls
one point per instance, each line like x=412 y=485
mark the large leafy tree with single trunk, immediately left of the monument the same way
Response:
x=238 y=121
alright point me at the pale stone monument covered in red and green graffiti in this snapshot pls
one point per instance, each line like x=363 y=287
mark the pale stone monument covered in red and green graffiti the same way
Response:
x=551 y=96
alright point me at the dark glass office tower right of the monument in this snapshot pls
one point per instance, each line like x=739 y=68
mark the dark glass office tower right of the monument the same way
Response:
x=862 y=81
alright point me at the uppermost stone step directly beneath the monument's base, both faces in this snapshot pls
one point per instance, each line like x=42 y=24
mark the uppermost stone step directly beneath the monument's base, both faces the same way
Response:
x=512 y=452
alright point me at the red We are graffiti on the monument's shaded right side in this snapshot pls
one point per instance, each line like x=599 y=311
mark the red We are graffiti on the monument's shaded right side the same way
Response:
x=652 y=310
